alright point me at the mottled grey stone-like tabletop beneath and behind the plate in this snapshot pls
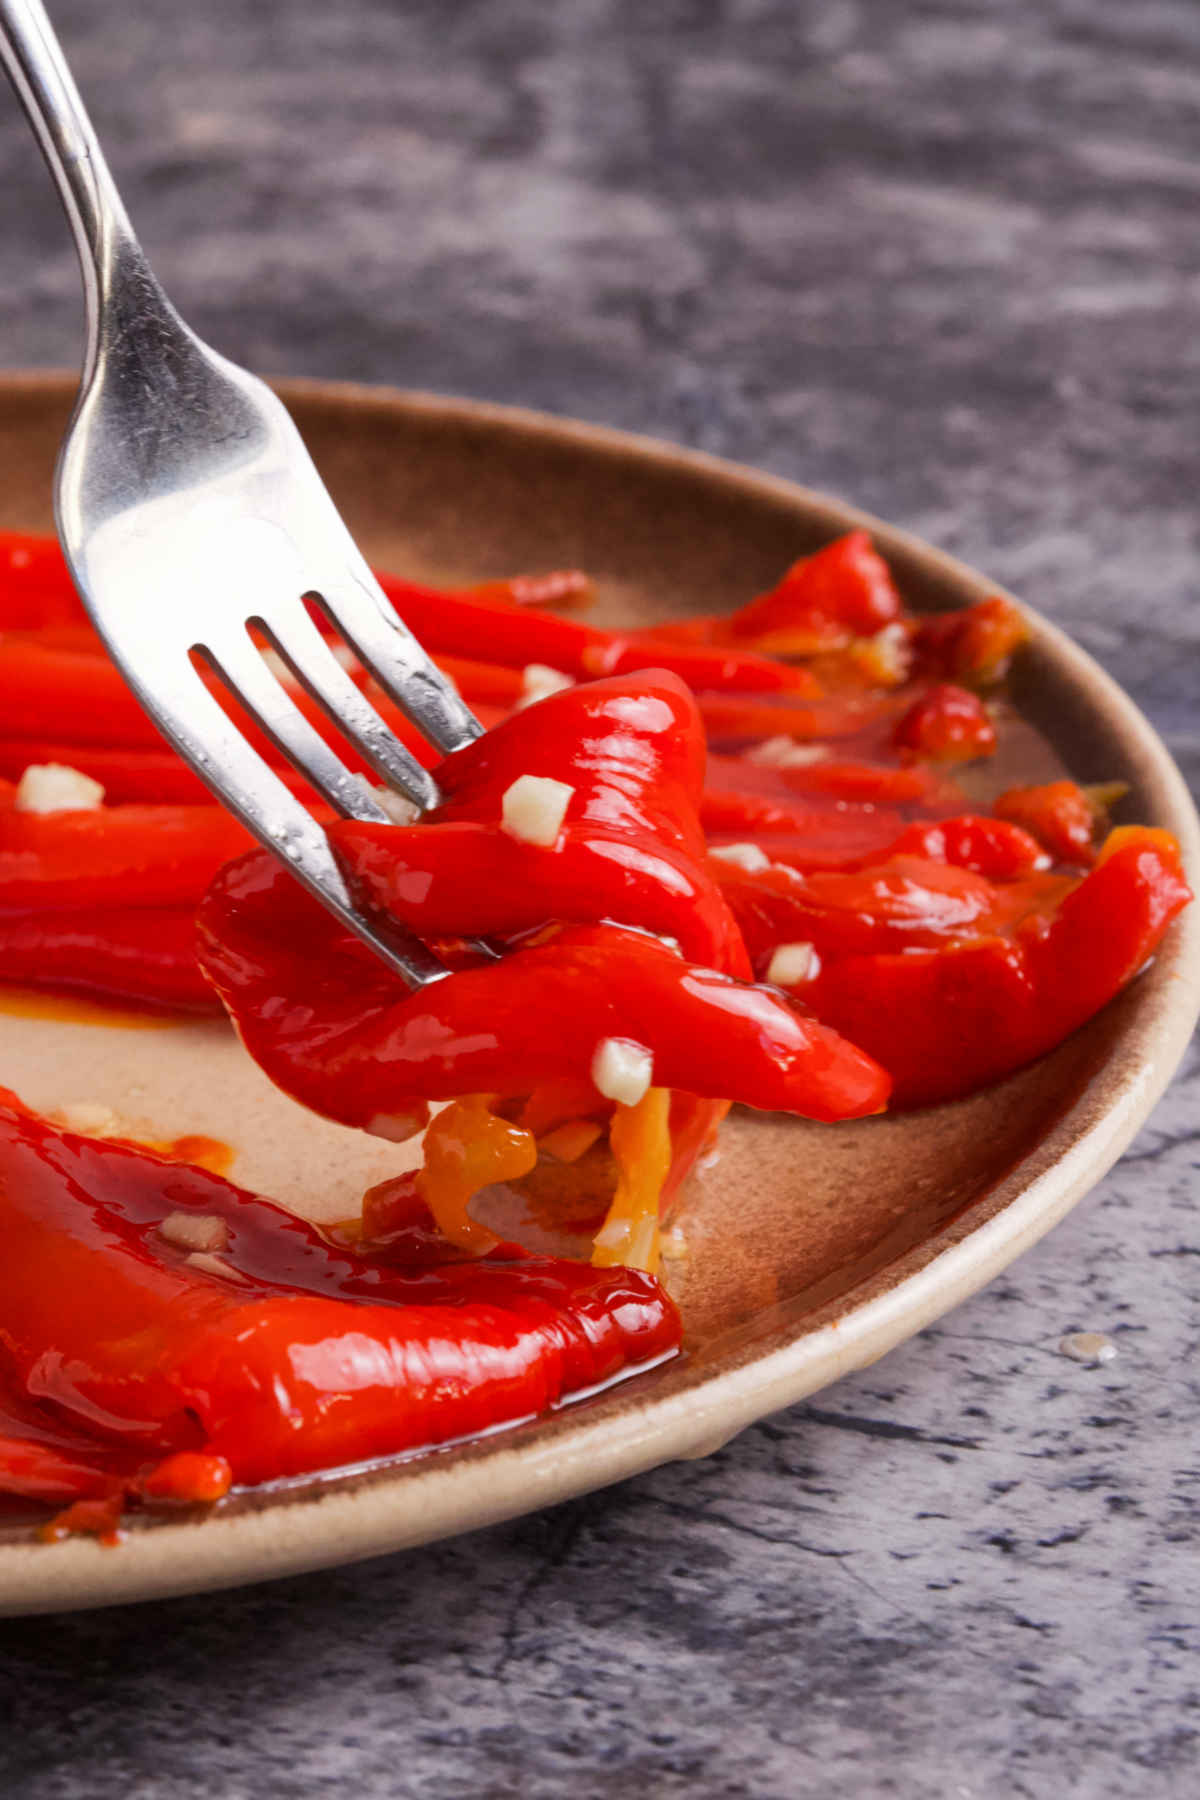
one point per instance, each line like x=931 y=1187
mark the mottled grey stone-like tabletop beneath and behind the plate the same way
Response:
x=940 y=256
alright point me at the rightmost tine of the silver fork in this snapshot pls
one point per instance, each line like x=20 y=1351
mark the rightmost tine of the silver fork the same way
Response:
x=359 y=607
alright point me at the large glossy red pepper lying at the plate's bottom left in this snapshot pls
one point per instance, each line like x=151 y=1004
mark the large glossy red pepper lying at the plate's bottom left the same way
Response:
x=307 y=1356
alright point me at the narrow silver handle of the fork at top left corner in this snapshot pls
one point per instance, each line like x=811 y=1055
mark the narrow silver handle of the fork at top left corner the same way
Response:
x=109 y=251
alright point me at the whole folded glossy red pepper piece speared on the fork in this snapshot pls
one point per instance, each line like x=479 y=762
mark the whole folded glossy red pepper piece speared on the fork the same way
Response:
x=343 y=1036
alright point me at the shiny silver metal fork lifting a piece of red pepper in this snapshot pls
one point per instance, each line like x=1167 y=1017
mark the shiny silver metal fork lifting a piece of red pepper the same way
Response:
x=192 y=516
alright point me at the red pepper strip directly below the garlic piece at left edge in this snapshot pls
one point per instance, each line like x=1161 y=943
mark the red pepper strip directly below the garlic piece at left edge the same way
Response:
x=112 y=856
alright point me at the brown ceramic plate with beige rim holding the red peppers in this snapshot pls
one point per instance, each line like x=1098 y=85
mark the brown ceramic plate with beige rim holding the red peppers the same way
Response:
x=814 y=1248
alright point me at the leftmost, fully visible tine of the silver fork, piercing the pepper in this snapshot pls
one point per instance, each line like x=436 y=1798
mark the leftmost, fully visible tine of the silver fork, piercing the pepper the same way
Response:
x=206 y=737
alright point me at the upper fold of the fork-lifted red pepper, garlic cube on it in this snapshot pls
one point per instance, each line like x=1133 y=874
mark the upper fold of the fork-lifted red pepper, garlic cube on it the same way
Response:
x=631 y=849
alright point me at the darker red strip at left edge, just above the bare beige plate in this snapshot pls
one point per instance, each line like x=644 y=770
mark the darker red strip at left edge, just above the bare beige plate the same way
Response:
x=136 y=955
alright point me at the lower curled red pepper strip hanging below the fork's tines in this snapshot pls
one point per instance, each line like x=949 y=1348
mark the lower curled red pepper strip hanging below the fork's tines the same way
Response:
x=359 y=1045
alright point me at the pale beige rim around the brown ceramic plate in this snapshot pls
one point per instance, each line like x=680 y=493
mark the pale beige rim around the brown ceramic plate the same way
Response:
x=569 y=1455
